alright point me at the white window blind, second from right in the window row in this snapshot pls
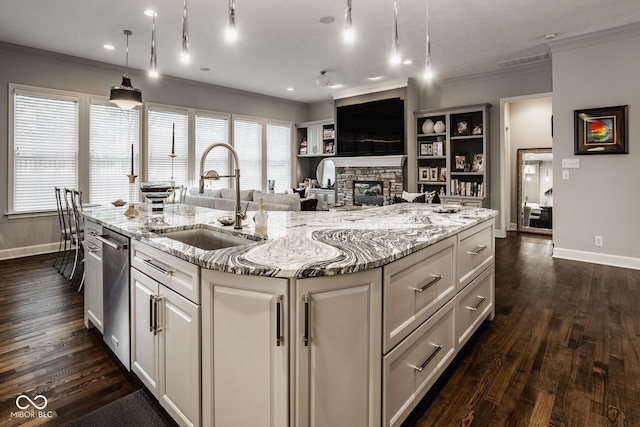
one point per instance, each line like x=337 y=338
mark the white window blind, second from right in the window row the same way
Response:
x=247 y=140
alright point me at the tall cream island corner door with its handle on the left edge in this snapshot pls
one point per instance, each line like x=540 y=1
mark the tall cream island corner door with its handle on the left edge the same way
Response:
x=338 y=350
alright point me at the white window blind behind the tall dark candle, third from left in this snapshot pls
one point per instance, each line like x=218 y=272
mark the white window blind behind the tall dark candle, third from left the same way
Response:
x=160 y=127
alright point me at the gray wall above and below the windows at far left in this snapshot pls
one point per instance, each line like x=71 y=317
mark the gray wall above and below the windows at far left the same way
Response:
x=44 y=69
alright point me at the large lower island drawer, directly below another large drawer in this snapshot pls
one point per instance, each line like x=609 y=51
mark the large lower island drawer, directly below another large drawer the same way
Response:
x=414 y=365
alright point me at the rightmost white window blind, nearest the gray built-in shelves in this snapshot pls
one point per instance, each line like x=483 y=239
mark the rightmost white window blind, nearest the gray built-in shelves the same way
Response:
x=279 y=155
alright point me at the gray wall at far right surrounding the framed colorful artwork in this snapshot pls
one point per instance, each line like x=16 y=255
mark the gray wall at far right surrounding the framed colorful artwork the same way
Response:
x=603 y=196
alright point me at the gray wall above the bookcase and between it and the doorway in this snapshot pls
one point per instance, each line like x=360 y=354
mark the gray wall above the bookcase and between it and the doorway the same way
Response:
x=489 y=89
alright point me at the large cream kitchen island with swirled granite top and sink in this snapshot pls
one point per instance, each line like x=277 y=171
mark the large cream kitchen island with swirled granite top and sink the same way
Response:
x=336 y=318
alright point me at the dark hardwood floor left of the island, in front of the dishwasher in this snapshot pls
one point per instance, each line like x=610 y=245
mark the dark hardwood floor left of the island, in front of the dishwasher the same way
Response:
x=46 y=350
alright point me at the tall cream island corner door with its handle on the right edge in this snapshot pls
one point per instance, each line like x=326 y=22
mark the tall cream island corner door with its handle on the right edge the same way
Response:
x=245 y=350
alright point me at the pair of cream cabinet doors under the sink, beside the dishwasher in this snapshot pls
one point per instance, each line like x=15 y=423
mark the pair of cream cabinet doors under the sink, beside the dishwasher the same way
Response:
x=165 y=347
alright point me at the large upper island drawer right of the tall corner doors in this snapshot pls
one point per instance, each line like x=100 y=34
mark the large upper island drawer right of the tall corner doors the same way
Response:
x=415 y=287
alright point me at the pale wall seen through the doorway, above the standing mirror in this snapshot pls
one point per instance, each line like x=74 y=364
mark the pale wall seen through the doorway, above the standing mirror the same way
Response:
x=530 y=127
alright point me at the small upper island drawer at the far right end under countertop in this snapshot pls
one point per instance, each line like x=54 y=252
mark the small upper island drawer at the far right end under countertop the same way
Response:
x=475 y=252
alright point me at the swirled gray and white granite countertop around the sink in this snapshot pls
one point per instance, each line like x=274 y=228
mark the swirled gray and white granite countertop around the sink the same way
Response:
x=299 y=244
